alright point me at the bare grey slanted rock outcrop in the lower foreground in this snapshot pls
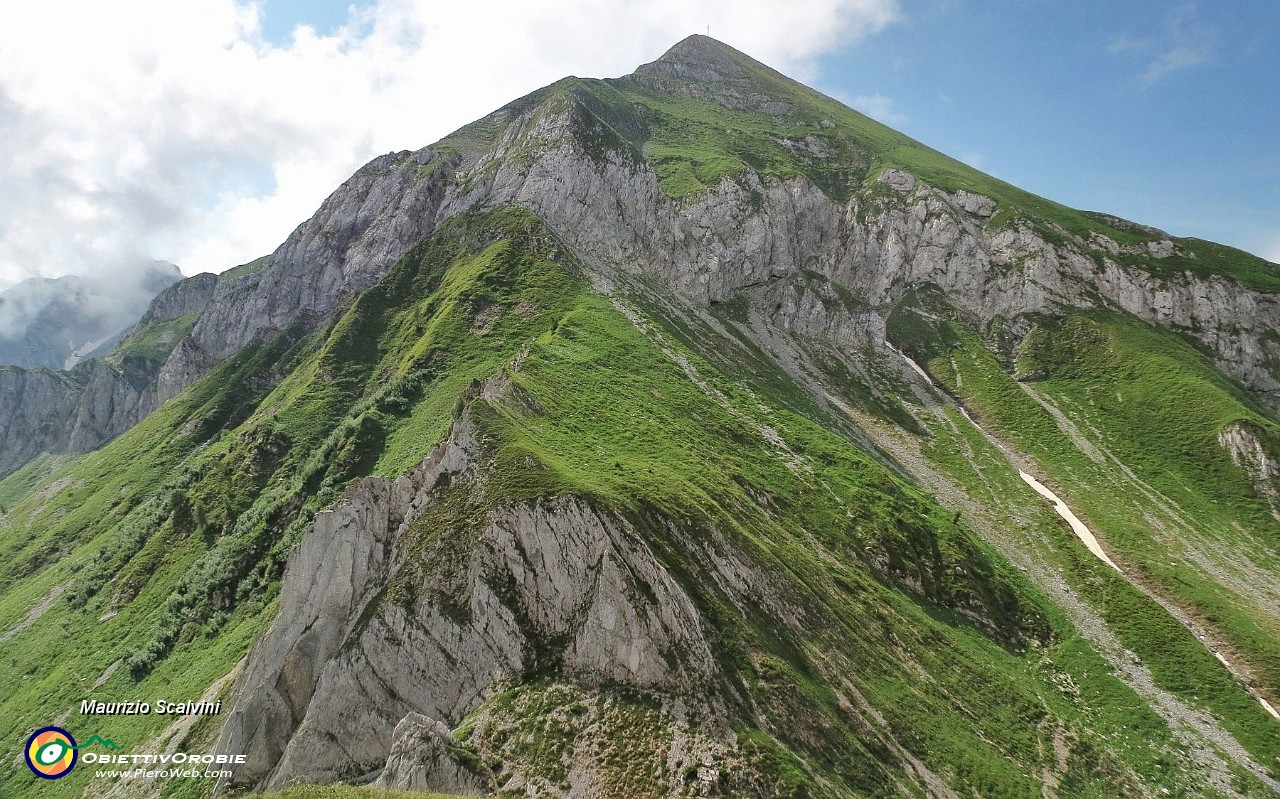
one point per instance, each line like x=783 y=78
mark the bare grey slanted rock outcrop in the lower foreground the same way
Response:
x=551 y=585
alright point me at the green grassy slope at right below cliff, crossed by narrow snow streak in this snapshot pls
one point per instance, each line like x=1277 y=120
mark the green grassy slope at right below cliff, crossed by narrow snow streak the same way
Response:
x=1177 y=405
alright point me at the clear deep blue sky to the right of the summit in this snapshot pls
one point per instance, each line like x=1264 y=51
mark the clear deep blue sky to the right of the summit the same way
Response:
x=1164 y=113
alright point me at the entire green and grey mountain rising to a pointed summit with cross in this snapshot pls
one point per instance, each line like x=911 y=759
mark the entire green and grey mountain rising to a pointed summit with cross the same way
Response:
x=673 y=436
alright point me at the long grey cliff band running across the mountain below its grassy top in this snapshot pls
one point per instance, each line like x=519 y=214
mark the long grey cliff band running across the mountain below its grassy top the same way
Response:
x=742 y=234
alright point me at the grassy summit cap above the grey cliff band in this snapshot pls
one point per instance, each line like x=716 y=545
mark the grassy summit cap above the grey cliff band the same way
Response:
x=700 y=130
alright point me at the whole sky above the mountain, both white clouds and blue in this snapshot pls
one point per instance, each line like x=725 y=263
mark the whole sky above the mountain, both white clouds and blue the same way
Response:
x=203 y=133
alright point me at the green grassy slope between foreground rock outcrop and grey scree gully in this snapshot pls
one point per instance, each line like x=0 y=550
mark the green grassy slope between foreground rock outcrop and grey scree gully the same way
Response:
x=824 y=531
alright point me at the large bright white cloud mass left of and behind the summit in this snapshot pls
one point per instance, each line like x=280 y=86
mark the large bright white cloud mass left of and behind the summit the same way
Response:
x=175 y=130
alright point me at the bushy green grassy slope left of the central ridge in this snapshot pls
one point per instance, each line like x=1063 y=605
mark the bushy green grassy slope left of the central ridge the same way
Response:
x=167 y=546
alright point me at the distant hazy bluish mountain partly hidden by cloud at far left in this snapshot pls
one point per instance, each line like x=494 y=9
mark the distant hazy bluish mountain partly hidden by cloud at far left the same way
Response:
x=58 y=322
